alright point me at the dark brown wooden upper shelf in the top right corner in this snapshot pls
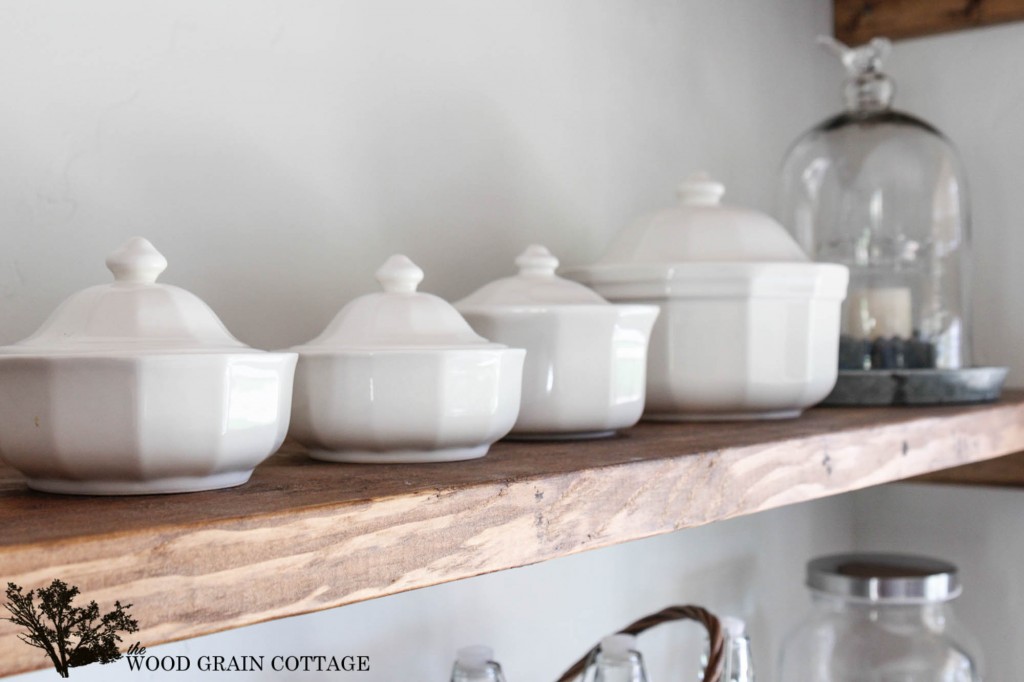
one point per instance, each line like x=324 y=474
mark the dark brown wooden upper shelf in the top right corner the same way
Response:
x=857 y=22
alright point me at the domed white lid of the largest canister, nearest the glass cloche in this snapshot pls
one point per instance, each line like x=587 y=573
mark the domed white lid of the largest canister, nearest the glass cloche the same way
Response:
x=701 y=229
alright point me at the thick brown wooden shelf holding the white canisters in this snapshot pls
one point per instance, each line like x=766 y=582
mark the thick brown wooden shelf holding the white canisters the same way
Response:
x=305 y=536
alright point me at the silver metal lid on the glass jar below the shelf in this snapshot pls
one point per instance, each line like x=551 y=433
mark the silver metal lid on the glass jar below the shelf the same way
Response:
x=884 y=579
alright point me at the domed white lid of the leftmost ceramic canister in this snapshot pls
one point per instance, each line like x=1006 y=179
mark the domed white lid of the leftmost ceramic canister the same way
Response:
x=133 y=315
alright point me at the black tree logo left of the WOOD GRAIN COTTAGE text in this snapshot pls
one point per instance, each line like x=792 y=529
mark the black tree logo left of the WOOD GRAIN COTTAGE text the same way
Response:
x=71 y=636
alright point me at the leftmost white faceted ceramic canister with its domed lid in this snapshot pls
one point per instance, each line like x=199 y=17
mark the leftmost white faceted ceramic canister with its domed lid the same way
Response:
x=137 y=388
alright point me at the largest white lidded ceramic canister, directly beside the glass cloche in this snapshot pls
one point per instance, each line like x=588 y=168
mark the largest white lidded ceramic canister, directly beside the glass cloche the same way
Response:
x=749 y=326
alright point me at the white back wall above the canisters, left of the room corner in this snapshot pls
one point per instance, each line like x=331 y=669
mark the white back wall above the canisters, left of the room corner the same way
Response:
x=278 y=152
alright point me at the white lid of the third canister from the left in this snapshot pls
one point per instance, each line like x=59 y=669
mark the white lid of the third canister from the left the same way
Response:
x=536 y=285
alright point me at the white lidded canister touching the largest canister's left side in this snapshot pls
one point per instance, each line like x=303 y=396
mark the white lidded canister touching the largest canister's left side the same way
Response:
x=586 y=368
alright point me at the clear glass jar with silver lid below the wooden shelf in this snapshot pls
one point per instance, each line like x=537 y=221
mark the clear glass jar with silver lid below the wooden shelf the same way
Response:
x=880 y=618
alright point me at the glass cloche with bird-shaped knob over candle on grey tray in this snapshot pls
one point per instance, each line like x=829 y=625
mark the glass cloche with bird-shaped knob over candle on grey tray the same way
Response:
x=884 y=193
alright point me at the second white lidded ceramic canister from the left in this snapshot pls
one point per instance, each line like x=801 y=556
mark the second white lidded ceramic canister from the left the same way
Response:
x=400 y=377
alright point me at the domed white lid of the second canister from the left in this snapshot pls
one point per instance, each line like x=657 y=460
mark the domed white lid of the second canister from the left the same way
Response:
x=398 y=319
